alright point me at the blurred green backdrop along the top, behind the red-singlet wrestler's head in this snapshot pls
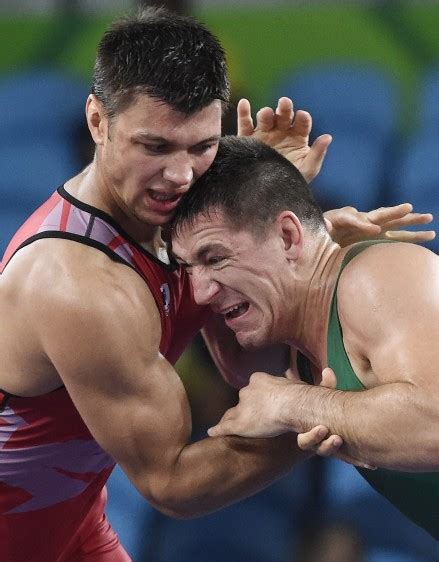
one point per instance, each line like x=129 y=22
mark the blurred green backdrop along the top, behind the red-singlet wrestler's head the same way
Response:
x=262 y=42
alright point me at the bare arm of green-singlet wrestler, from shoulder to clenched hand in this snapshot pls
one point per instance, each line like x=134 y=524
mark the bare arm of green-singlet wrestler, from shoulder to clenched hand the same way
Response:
x=391 y=336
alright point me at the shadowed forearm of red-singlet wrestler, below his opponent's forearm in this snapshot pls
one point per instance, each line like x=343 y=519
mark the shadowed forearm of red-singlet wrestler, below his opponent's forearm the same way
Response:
x=215 y=472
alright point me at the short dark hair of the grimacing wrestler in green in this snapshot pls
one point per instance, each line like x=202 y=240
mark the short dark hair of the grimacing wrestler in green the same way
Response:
x=251 y=184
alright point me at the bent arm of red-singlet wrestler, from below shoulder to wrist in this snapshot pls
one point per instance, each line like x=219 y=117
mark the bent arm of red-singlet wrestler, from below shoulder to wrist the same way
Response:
x=102 y=334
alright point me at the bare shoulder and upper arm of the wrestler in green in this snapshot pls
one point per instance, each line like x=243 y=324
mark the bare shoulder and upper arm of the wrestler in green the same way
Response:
x=395 y=323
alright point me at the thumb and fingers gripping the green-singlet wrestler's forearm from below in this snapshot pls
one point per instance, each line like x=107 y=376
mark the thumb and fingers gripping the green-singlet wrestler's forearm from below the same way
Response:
x=332 y=445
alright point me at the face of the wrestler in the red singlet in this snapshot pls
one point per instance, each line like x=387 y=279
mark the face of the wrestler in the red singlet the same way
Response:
x=152 y=154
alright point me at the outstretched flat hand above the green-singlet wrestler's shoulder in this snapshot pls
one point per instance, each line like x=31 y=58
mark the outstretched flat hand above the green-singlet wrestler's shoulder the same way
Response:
x=348 y=226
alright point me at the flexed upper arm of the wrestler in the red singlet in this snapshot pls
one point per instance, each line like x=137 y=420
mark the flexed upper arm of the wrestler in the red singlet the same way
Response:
x=127 y=393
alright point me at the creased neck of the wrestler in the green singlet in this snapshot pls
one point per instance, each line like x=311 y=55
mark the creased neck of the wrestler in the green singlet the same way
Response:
x=316 y=275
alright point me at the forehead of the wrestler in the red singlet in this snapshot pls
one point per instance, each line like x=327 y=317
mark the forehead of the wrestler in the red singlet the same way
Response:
x=157 y=118
